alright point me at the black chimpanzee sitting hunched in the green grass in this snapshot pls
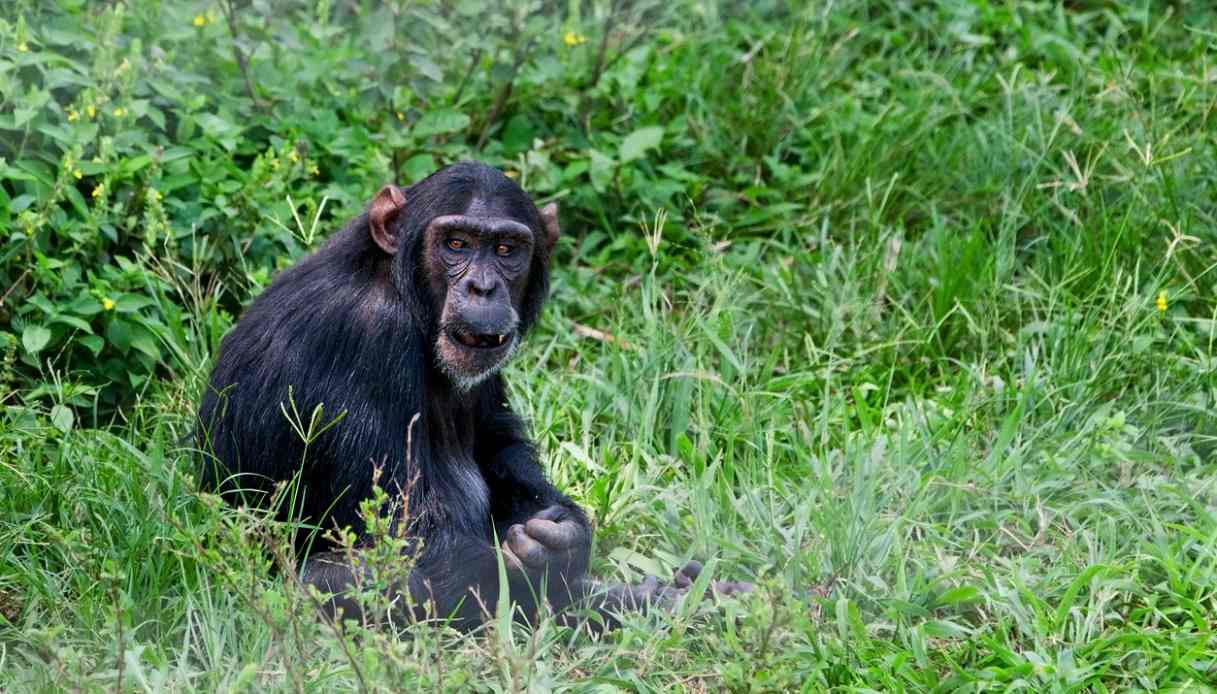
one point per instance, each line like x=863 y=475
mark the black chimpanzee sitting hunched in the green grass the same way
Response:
x=402 y=322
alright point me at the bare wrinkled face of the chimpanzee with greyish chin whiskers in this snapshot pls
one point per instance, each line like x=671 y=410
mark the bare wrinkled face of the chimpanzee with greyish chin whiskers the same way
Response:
x=478 y=265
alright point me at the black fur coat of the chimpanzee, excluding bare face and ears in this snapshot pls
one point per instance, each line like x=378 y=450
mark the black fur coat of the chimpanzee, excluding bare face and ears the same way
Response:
x=354 y=329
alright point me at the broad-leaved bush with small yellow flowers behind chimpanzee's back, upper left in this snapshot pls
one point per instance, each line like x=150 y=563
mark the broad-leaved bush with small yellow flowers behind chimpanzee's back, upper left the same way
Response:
x=154 y=155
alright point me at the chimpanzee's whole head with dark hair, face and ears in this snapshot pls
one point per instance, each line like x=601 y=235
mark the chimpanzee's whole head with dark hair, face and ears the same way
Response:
x=472 y=255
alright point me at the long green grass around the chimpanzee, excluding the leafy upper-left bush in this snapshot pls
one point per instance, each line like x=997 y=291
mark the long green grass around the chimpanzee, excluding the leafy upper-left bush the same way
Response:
x=894 y=350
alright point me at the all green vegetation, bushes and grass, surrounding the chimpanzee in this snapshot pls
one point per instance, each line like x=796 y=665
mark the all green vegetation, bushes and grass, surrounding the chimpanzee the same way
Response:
x=912 y=303
